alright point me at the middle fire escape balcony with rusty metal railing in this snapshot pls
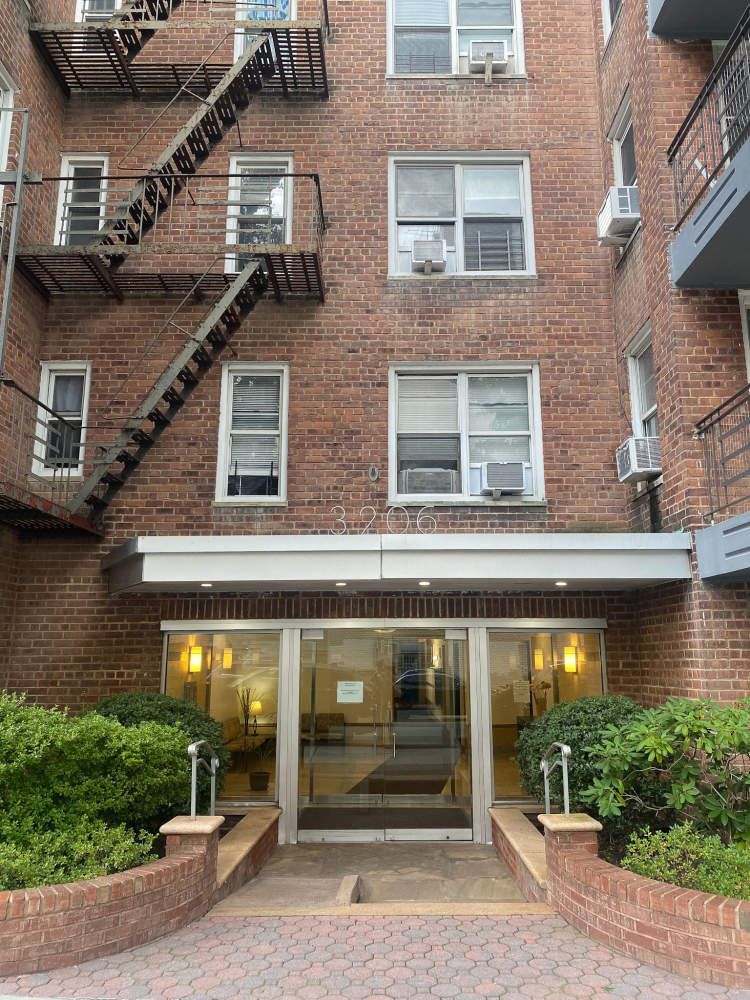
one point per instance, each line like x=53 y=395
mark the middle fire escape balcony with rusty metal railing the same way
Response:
x=87 y=233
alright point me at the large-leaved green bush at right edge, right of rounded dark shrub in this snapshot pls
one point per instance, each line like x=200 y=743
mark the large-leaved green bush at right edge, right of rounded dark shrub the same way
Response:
x=698 y=751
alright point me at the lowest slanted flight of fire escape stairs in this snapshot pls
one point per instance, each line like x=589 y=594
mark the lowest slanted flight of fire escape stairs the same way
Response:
x=117 y=461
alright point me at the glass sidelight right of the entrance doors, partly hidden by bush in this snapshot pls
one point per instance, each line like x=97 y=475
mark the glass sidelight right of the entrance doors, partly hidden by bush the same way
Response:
x=529 y=673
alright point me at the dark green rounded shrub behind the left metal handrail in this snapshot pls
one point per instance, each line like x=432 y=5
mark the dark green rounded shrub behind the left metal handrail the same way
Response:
x=133 y=709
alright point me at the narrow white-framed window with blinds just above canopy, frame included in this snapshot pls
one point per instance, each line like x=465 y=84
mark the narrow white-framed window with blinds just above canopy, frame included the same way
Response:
x=253 y=431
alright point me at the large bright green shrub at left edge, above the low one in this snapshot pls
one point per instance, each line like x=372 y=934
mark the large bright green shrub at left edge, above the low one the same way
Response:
x=56 y=769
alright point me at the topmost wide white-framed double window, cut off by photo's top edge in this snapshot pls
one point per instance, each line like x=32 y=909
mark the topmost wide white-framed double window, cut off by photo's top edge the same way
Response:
x=432 y=37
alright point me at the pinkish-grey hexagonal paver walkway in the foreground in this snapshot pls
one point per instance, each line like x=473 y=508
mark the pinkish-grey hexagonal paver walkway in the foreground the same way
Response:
x=368 y=958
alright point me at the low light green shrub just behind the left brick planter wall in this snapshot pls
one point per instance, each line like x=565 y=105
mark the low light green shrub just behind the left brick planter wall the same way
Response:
x=81 y=852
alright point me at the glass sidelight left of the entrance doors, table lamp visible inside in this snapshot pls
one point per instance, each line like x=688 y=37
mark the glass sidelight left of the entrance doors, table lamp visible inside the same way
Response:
x=234 y=676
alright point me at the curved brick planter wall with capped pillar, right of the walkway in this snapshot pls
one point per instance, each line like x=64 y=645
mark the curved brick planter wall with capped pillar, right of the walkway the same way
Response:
x=690 y=933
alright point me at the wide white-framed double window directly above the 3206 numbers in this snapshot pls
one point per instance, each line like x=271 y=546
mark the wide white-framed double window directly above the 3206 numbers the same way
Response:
x=448 y=422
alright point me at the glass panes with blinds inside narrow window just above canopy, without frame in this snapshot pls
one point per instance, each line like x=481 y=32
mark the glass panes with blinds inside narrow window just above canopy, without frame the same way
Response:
x=254 y=433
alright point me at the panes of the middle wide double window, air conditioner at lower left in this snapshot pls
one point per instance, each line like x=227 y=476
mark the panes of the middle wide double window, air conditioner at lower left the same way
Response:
x=477 y=210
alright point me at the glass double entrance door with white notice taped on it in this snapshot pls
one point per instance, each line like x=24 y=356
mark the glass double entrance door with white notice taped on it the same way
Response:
x=385 y=741
